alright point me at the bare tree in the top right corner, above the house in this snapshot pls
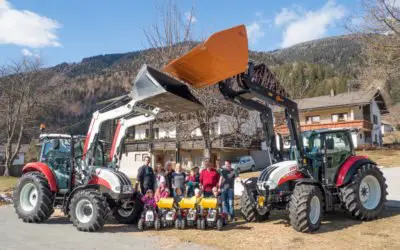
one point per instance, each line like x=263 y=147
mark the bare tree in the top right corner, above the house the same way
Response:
x=378 y=24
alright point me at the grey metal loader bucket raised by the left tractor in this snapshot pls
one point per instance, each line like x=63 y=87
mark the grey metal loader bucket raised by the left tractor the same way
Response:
x=157 y=89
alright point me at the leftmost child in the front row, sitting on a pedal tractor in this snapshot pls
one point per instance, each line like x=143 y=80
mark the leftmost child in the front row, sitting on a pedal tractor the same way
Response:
x=149 y=217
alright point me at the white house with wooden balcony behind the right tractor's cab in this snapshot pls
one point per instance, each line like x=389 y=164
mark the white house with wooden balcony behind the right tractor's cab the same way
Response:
x=359 y=111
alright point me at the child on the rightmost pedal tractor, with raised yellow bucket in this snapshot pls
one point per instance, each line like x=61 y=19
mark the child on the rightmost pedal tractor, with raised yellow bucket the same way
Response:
x=212 y=212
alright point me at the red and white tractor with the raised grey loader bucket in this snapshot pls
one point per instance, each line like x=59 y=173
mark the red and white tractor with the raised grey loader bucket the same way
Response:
x=72 y=173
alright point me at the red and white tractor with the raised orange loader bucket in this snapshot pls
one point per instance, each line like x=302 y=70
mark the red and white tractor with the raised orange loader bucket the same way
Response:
x=319 y=176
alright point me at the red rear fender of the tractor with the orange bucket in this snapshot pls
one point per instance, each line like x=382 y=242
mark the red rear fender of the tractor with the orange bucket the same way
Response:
x=349 y=168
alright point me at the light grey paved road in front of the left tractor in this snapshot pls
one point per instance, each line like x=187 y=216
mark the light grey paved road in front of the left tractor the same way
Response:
x=58 y=233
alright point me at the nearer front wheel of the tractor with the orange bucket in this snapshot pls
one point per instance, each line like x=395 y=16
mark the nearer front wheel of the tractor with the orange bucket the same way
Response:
x=305 y=199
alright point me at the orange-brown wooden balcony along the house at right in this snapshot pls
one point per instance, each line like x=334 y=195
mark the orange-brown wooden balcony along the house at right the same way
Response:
x=360 y=124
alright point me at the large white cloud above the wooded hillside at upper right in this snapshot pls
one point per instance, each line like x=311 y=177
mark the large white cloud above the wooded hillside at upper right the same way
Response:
x=301 y=26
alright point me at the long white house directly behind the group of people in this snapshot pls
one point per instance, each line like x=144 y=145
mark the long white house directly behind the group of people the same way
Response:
x=190 y=151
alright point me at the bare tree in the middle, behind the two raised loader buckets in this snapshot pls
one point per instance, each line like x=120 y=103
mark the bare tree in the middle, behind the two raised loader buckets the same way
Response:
x=170 y=38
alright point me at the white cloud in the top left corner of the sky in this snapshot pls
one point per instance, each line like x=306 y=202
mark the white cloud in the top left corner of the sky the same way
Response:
x=26 y=28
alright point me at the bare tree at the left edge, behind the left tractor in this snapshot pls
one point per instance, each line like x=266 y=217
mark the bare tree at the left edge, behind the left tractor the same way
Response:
x=22 y=93
